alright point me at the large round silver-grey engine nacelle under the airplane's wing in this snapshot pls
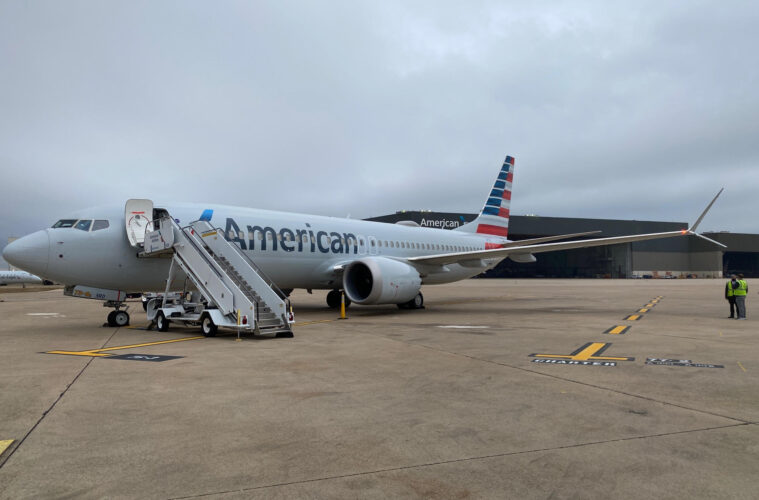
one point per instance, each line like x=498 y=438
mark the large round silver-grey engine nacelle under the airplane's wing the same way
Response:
x=379 y=280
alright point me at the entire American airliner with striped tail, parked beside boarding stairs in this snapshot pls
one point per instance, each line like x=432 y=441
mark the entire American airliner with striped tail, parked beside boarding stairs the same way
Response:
x=372 y=262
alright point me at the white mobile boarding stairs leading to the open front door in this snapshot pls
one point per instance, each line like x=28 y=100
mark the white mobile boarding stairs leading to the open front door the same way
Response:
x=230 y=281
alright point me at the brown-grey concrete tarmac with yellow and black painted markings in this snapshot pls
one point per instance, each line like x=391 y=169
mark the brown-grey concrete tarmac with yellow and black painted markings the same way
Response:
x=498 y=389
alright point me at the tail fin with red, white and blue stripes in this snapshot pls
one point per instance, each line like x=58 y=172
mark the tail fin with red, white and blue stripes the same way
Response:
x=494 y=217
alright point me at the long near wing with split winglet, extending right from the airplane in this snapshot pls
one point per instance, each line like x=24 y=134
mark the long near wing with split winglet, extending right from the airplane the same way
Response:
x=522 y=248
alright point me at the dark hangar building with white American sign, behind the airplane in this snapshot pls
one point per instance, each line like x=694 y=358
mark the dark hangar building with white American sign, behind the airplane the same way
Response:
x=667 y=258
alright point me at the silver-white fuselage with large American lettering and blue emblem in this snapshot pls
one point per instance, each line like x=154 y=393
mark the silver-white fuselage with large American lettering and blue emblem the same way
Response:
x=294 y=250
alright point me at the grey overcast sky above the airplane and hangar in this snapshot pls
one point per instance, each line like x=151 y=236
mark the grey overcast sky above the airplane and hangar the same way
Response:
x=635 y=112
